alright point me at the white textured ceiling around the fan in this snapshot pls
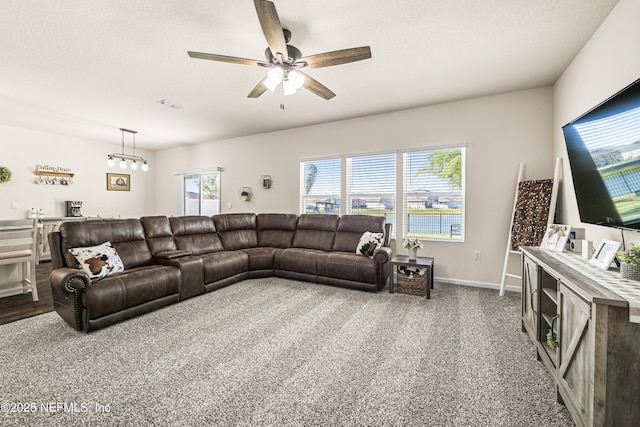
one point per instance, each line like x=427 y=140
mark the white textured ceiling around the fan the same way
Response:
x=86 y=68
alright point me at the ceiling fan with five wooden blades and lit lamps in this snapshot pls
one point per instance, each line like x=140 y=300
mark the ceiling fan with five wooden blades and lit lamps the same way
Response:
x=285 y=61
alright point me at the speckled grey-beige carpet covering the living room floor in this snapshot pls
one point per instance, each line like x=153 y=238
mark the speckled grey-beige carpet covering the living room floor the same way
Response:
x=281 y=352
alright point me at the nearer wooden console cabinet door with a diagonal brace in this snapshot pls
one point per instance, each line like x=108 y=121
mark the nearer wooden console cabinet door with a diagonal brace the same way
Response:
x=576 y=352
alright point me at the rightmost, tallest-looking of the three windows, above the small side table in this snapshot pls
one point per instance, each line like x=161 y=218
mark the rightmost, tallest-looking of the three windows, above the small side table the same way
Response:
x=434 y=194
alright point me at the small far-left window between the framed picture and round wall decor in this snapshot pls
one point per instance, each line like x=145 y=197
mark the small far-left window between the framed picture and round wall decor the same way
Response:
x=201 y=194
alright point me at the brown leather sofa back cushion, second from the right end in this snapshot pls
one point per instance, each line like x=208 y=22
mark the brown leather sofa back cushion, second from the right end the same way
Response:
x=316 y=231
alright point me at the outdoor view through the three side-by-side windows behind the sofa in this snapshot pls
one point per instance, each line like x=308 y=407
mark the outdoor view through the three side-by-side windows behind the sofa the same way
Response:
x=433 y=190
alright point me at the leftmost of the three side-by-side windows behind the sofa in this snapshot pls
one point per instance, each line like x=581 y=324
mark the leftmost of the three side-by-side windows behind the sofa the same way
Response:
x=320 y=182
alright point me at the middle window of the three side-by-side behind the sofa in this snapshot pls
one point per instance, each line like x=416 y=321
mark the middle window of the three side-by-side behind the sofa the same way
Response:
x=371 y=185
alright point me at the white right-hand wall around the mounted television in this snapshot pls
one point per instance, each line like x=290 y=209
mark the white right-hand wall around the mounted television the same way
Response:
x=606 y=64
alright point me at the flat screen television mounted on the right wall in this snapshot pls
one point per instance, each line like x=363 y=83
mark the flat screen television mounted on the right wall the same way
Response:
x=603 y=146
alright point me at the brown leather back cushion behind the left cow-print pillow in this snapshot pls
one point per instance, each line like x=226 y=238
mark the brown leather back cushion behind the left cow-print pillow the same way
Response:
x=126 y=235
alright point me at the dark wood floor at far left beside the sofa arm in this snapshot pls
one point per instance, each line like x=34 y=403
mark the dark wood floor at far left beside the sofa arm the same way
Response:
x=22 y=306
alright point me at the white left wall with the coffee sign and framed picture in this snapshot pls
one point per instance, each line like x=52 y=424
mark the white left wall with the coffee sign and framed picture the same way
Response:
x=23 y=149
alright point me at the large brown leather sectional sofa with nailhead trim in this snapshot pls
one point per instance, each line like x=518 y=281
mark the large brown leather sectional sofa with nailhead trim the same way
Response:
x=168 y=259
